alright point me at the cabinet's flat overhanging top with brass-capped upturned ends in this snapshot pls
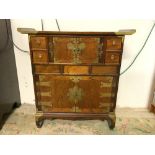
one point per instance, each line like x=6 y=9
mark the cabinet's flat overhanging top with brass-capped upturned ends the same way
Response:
x=32 y=31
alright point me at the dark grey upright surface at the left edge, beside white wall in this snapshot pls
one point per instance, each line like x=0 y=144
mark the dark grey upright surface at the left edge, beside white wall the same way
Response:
x=9 y=88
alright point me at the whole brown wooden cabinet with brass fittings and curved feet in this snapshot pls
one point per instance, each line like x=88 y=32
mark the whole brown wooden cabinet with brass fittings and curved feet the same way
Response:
x=76 y=74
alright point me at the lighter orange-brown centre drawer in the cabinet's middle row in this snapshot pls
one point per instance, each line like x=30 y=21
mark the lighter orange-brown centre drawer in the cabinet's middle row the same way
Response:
x=76 y=69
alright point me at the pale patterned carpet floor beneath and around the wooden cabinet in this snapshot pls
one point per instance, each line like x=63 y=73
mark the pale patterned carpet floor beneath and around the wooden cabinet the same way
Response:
x=128 y=122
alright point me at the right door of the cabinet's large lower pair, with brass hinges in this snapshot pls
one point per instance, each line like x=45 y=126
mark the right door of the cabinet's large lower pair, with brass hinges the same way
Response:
x=98 y=94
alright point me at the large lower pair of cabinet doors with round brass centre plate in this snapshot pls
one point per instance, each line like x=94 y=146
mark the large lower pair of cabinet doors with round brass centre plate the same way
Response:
x=76 y=93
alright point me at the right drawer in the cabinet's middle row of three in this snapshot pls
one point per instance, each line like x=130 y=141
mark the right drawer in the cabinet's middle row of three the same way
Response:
x=104 y=70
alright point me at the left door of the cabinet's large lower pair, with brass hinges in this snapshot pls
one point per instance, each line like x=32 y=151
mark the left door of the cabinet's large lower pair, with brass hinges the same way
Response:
x=52 y=93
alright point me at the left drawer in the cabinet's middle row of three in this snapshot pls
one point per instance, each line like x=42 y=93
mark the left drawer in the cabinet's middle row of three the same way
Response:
x=47 y=69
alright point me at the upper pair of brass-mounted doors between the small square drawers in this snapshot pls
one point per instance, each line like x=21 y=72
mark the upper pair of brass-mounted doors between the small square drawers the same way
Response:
x=75 y=49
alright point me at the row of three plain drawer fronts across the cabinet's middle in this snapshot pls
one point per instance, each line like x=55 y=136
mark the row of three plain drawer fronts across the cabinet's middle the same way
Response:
x=75 y=70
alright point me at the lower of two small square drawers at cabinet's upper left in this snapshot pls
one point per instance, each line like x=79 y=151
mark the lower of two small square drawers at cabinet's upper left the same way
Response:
x=40 y=56
